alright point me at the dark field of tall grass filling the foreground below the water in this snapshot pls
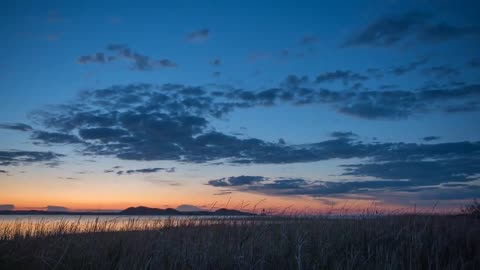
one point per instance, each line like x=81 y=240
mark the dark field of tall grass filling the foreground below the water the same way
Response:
x=393 y=242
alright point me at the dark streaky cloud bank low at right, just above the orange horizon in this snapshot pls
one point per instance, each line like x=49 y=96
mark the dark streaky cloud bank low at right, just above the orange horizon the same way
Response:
x=385 y=168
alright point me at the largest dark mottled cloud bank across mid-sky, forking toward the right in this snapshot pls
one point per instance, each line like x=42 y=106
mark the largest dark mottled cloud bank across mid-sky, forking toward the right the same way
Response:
x=172 y=121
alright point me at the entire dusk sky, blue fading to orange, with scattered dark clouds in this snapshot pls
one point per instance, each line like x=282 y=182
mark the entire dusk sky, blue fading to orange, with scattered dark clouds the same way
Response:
x=241 y=104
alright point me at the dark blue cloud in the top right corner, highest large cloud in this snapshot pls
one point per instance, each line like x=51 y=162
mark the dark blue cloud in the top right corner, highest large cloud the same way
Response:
x=391 y=30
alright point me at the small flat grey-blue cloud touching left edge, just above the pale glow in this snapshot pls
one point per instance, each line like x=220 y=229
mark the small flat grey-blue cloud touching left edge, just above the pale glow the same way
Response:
x=18 y=157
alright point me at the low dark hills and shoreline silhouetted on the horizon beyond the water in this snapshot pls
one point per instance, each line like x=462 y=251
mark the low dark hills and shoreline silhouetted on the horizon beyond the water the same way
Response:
x=134 y=211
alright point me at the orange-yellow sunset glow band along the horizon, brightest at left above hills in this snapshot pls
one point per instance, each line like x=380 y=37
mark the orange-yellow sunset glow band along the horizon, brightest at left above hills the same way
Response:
x=110 y=192
